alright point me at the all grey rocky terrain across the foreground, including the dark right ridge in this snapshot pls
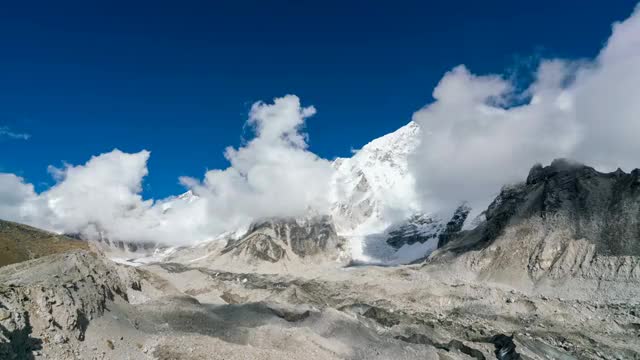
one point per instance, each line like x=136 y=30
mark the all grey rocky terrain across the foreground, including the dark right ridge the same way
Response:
x=552 y=273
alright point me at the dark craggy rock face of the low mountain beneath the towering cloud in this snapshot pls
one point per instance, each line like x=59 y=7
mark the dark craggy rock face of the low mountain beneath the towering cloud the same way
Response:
x=269 y=239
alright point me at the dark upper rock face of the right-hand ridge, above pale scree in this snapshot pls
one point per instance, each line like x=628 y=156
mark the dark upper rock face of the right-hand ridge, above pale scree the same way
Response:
x=604 y=208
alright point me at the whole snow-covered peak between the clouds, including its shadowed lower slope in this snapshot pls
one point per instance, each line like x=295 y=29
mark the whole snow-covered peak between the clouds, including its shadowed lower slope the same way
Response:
x=375 y=204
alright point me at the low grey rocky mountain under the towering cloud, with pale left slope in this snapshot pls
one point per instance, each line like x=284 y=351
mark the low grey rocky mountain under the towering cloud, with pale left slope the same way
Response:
x=282 y=244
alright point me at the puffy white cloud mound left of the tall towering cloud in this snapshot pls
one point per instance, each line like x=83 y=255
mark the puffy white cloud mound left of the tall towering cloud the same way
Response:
x=101 y=195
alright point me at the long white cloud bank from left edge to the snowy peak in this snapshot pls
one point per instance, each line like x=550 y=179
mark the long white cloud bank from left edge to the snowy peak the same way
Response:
x=272 y=175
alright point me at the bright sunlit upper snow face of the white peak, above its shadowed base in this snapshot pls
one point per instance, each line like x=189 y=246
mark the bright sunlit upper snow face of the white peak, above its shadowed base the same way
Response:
x=374 y=188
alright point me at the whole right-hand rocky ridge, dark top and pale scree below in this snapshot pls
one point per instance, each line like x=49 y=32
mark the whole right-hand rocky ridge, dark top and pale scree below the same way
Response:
x=567 y=219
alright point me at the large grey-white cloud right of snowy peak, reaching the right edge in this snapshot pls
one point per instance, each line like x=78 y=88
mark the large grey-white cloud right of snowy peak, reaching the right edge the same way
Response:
x=474 y=139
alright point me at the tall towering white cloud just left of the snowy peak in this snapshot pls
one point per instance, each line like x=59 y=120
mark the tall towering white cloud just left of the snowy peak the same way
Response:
x=272 y=175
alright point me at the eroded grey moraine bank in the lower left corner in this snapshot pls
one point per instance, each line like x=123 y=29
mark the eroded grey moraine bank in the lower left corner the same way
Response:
x=50 y=301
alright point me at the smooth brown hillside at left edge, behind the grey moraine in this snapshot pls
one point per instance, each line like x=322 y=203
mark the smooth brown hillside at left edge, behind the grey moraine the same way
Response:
x=21 y=243
